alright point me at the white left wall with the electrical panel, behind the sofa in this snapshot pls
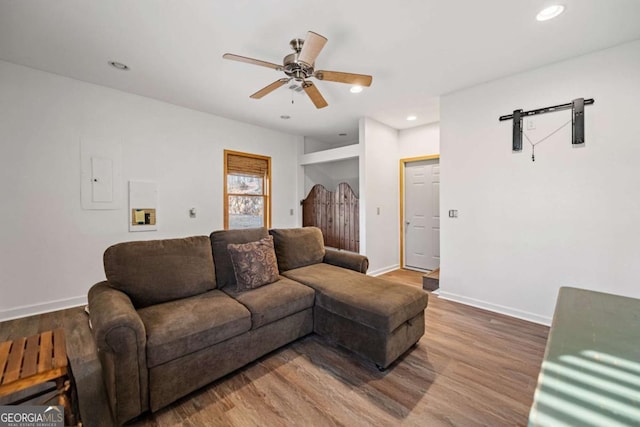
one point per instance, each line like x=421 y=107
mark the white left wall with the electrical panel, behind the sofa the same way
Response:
x=51 y=249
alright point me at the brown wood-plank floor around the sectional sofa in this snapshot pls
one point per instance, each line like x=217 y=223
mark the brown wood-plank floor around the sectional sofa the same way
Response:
x=472 y=367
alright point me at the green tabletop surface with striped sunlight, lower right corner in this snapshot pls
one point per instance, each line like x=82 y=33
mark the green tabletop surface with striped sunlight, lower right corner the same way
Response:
x=590 y=374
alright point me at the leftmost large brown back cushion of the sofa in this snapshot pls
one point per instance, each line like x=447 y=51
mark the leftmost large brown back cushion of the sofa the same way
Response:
x=157 y=271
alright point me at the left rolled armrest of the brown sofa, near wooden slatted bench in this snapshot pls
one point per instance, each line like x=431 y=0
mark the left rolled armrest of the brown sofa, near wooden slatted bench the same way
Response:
x=121 y=340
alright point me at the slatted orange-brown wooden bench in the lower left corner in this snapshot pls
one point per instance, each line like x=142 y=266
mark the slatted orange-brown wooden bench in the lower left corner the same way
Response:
x=30 y=361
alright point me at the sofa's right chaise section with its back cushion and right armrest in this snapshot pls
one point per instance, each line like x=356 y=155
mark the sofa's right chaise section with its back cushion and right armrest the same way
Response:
x=373 y=317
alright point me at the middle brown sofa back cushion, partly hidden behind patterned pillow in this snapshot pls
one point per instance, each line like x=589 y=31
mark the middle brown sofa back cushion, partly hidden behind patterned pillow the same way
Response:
x=225 y=275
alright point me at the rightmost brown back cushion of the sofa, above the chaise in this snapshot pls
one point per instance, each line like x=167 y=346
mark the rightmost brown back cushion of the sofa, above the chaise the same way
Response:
x=297 y=247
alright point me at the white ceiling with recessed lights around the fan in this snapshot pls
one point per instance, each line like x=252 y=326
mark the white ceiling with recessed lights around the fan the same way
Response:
x=415 y=49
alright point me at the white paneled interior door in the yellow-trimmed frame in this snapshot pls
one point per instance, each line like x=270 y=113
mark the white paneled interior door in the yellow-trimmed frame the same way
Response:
x=422 y=214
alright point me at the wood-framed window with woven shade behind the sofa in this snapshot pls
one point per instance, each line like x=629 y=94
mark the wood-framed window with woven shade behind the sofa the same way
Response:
x=247 y=190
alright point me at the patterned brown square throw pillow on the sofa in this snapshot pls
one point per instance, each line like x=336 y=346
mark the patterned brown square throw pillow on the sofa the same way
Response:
x=254 y=263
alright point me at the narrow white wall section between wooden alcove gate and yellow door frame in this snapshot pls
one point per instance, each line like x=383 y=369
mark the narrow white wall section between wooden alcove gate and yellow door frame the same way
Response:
x=379 y=190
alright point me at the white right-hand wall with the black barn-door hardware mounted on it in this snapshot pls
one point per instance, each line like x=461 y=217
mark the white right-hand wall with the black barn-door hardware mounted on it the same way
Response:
x=572 y=217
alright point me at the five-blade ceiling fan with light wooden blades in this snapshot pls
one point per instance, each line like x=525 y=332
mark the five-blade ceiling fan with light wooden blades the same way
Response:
x=300 y=65
